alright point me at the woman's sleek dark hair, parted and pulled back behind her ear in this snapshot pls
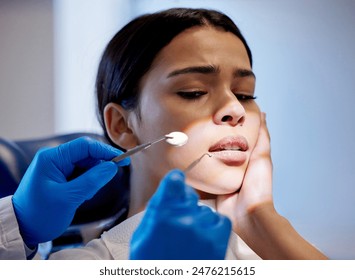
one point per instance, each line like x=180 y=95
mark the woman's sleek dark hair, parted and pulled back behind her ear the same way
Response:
x=130 y=53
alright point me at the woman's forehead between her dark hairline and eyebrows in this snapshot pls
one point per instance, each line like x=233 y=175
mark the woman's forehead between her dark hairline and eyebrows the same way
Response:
x=202 y=46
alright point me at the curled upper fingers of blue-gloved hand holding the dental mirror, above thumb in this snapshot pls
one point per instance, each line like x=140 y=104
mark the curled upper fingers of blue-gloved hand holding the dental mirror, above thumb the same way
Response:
x=81 y=150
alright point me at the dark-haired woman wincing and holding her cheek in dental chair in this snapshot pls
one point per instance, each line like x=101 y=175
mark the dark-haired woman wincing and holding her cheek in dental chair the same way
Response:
x=190 y=70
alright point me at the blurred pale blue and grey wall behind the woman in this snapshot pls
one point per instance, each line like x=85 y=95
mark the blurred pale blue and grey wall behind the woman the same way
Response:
x=305 y=66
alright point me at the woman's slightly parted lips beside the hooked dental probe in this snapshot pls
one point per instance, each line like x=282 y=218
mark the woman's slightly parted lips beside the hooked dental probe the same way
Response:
x=231 y=150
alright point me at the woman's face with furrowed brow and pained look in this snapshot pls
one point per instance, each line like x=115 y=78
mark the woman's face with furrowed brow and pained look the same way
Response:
x=202 y=84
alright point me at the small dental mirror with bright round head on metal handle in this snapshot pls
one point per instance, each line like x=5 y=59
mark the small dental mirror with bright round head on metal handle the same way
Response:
x=175 y=138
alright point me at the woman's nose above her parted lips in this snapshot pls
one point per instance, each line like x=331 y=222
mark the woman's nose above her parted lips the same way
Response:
x=231 y=112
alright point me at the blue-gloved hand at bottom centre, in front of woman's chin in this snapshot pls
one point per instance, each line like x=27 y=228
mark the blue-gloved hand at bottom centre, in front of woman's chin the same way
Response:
x=176 y=227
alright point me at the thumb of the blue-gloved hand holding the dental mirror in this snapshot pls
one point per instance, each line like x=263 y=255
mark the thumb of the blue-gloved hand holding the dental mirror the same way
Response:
x=87 y=185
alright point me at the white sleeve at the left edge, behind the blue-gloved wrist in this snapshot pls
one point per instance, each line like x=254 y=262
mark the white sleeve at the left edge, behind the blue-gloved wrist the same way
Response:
x=11 y=243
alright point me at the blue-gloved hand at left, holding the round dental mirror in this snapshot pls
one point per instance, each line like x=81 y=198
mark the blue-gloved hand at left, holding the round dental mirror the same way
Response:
x=45 y=201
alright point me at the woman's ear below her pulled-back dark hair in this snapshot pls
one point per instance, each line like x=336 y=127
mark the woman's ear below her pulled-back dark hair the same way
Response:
x=118 y=127
